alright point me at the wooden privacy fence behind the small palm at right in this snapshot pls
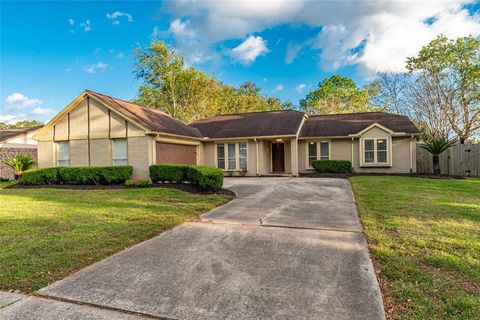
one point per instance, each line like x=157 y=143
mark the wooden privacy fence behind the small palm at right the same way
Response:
x=459 y=160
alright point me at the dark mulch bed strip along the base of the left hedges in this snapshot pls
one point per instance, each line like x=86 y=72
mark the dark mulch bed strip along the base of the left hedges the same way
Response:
x=186 y=187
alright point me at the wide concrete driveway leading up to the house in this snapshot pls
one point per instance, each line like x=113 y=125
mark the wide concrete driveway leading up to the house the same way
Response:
x=286 y=248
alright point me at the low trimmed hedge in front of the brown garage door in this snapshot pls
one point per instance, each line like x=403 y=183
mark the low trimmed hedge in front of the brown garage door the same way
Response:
x=206 y=178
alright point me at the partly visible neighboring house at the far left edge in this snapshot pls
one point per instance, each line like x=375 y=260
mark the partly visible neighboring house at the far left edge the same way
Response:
x=14 y=142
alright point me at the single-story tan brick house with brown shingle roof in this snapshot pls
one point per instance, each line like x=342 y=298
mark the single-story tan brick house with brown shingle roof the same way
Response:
x=98 y=130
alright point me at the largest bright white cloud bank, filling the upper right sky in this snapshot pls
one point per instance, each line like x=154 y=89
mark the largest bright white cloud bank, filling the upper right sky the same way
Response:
x=375 y=35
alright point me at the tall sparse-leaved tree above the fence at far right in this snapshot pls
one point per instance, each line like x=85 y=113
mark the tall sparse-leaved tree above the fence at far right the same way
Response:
x=451 y=70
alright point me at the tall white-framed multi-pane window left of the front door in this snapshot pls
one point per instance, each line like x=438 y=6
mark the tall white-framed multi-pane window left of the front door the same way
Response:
x=232 y=156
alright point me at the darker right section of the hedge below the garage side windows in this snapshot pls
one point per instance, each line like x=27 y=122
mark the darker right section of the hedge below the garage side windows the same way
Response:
x=96 y=175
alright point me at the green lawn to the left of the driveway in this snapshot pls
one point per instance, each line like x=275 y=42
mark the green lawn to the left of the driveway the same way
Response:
x=46 y=234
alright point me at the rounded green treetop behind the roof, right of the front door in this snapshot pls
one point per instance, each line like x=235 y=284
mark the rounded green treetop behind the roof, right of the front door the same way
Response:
x=337 y=94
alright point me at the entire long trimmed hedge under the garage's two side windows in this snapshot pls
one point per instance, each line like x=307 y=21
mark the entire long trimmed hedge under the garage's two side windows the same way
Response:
x=79 y=175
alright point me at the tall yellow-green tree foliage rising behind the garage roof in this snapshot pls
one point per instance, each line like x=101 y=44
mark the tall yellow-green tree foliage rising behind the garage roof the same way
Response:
x=190 y=94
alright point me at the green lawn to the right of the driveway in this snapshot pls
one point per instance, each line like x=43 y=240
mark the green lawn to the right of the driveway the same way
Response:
x=424 y=236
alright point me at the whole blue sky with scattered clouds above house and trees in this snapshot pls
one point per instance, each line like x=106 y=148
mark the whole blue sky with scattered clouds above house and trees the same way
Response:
x=51 y=51
